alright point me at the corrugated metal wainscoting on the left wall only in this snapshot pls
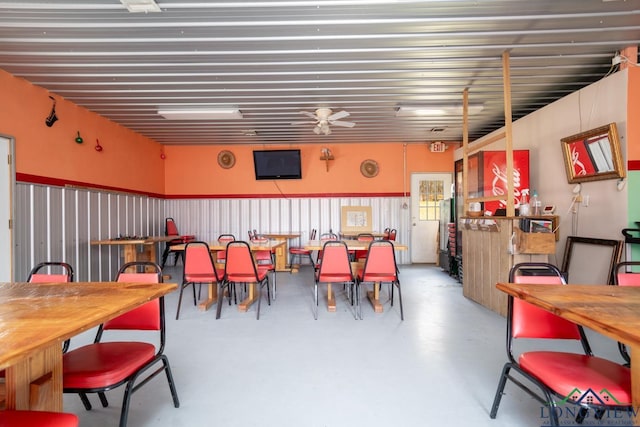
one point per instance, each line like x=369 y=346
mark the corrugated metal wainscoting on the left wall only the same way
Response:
x=54 y=223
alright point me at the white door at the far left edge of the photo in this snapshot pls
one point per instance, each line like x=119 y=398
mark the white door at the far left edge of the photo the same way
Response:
x=6 y=191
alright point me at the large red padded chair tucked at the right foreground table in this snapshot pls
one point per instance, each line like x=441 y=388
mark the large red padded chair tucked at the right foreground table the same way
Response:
x=558 y=375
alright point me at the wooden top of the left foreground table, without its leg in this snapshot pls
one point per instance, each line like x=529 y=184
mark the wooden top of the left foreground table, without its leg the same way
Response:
x=36 y=315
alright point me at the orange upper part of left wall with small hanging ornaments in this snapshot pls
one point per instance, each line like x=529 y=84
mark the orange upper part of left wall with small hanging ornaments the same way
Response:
x=129 y=161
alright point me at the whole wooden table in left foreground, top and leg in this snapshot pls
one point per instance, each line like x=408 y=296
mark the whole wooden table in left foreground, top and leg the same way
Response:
x=35 y=320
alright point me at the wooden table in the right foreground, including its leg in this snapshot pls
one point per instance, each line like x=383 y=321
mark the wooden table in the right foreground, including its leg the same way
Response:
x=613 y=311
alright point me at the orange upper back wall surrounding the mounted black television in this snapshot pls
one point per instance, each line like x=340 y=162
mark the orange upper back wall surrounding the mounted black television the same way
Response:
x=193 y=170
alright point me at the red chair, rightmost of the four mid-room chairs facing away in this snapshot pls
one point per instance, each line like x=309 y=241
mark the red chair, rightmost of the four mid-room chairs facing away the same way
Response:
x=380 y=267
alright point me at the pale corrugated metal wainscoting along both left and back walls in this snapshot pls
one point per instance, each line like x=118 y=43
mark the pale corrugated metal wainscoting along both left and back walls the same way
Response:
x=58 y=223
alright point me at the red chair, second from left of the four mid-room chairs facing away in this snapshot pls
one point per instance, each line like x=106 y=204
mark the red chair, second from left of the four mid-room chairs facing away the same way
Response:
x=242 y=268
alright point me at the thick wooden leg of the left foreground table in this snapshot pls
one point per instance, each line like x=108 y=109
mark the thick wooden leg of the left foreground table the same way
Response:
x=35 y=383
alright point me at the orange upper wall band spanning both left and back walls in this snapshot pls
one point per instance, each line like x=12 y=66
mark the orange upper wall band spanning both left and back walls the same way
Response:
x=132 y=162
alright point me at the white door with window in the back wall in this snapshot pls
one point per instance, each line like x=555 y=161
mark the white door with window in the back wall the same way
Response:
x=427 y=190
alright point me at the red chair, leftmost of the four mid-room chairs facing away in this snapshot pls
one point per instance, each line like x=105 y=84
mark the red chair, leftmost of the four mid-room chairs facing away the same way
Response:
x=198 y=267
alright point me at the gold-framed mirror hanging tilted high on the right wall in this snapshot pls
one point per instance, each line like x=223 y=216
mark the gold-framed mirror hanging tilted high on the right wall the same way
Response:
x=593 y=155
